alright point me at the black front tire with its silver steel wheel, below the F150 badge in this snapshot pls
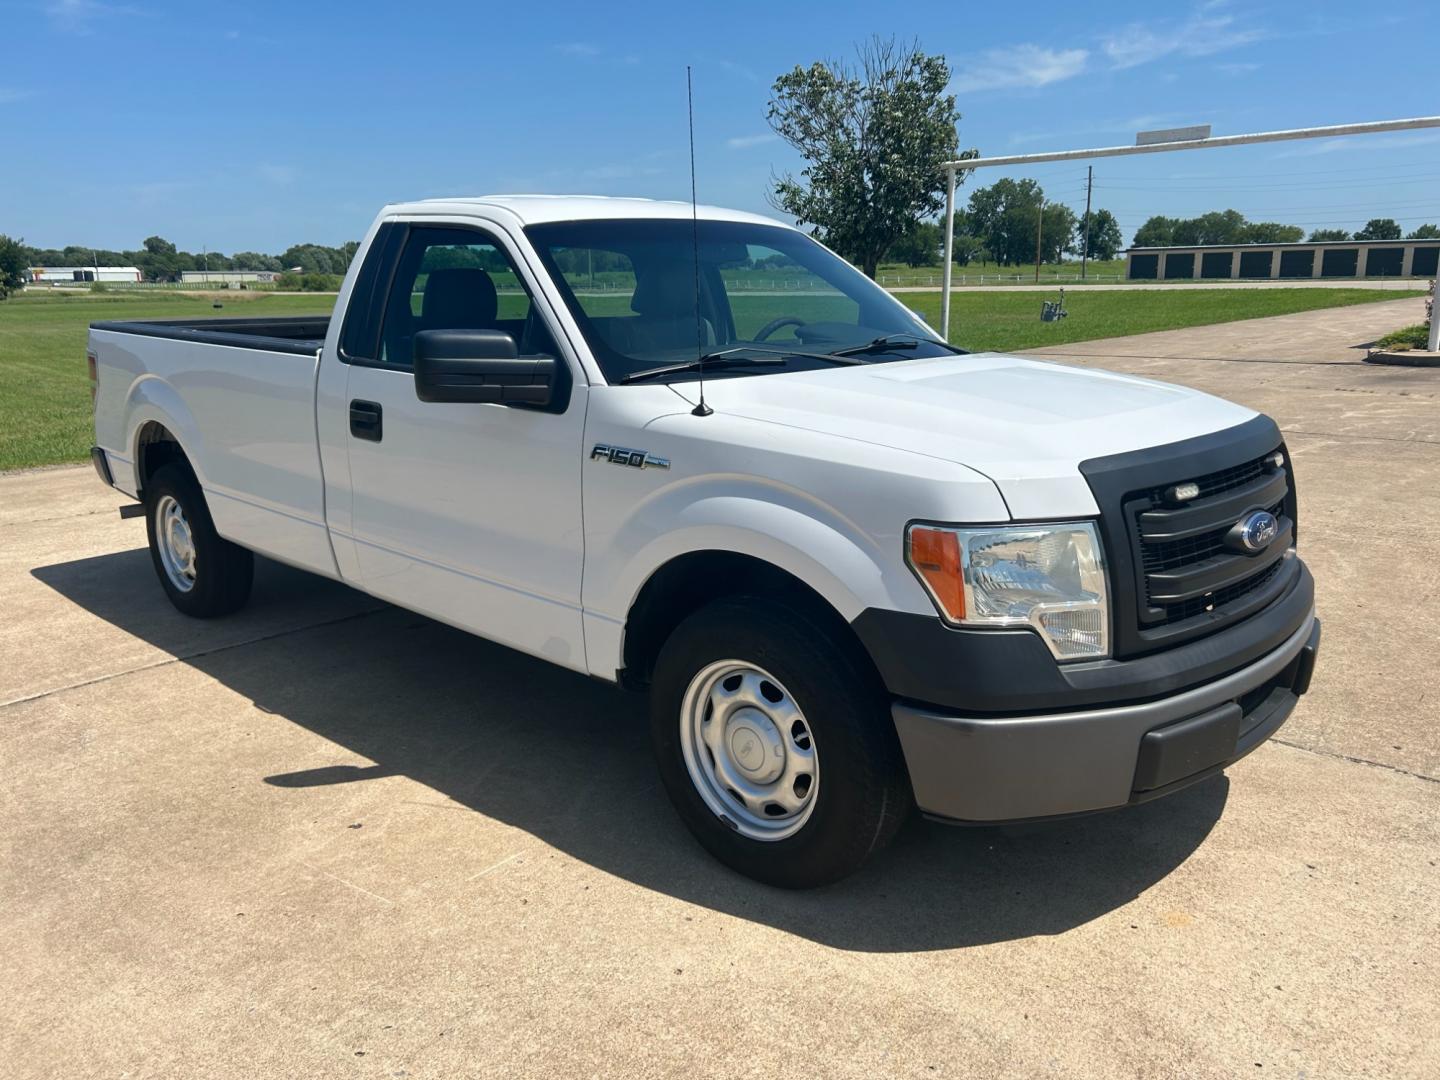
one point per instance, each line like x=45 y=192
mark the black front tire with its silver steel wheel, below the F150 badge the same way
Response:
x=859 y=794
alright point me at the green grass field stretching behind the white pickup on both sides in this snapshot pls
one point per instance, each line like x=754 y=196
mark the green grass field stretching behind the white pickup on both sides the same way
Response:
x=45 y=410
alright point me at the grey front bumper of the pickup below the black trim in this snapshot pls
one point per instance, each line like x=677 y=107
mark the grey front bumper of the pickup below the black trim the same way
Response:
x=991 y=768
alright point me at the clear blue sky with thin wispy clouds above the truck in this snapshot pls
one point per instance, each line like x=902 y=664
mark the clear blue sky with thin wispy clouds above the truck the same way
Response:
x=256 y=126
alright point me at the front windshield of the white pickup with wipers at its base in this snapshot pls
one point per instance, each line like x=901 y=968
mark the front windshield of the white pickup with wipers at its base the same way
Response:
x=631 y=286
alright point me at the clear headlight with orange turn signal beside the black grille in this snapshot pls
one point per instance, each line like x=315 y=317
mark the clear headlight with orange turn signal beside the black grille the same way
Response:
x=1050 y=578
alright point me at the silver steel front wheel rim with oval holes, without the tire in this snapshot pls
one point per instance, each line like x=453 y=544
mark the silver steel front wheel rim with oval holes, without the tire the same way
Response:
x=750 y=751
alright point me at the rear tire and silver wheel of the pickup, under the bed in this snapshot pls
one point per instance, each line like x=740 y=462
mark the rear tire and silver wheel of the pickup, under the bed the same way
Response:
x=192 y=554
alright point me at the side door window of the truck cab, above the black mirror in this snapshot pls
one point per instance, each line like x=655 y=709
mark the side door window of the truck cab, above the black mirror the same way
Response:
x=457 y=280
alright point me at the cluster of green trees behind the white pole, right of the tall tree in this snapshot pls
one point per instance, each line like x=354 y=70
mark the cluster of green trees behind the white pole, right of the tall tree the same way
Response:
x=1006 y=224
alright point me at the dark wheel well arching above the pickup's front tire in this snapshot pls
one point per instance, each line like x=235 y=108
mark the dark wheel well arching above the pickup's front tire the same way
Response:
x=689 y=582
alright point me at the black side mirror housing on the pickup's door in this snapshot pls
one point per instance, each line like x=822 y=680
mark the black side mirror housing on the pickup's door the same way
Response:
x=480 y=366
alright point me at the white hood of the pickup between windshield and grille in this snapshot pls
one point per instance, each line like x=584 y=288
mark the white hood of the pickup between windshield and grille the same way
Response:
x=1025 y=424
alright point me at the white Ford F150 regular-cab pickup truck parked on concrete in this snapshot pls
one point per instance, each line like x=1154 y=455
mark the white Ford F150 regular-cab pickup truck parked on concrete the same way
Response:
x=859 y=572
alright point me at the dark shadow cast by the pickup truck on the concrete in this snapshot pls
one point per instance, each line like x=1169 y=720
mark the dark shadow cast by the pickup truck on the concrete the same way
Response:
x=567 y=760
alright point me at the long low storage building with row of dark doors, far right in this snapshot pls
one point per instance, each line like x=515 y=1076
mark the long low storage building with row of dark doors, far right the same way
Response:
x=1320 y=260
